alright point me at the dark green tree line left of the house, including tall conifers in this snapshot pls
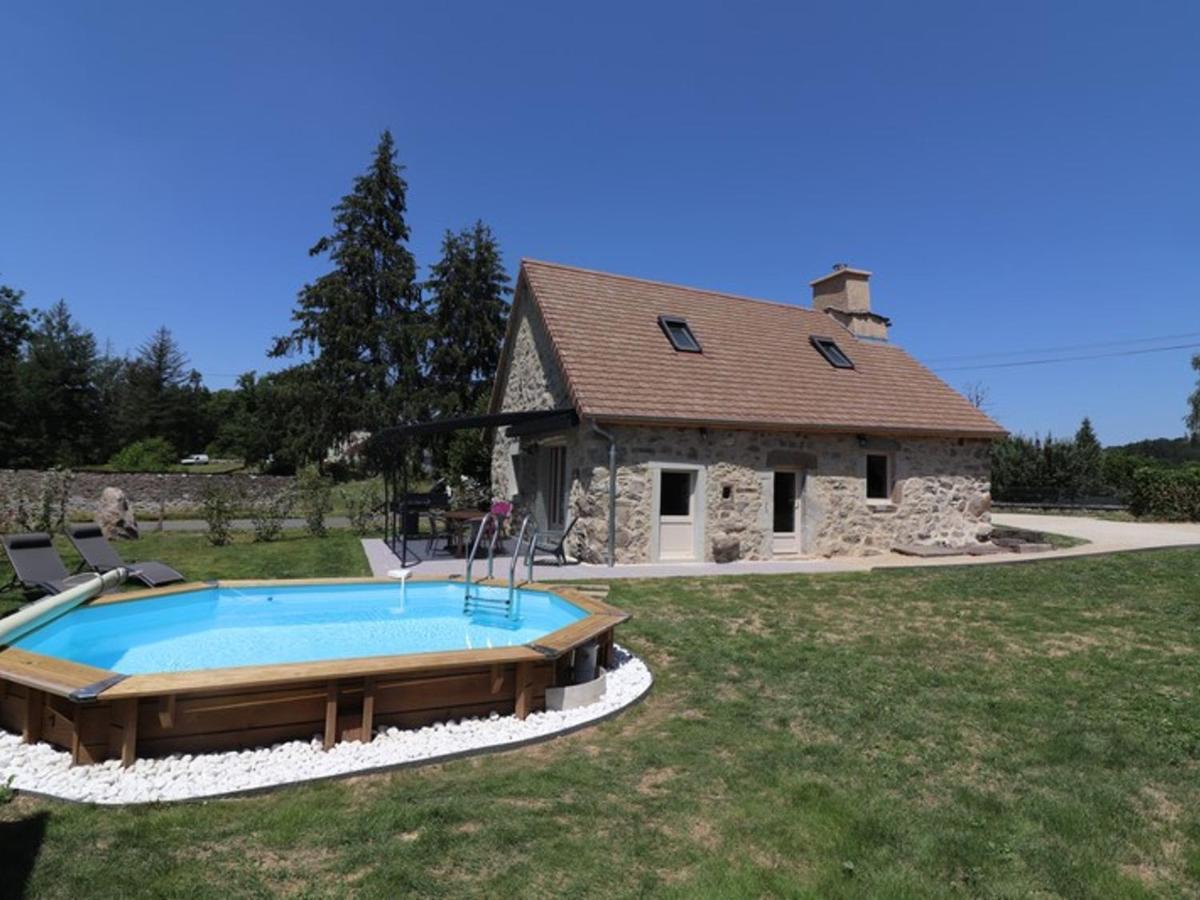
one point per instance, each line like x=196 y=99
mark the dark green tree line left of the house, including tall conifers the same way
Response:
x=375 y=346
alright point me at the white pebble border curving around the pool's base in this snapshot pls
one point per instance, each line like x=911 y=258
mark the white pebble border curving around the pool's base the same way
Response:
x=43 y=770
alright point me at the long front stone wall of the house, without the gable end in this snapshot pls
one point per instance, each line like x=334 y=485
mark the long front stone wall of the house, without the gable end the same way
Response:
x=941 y=491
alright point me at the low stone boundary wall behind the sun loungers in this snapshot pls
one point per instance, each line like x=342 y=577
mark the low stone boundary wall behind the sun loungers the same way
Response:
x=146 y=491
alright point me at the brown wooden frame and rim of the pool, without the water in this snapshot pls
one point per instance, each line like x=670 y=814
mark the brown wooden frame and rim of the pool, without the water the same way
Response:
x=99 y=715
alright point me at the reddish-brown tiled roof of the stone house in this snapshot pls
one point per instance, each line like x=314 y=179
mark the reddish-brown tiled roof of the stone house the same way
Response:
x=758 y=367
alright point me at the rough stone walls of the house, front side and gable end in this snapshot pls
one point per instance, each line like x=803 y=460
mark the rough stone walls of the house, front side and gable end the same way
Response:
x=941 y=485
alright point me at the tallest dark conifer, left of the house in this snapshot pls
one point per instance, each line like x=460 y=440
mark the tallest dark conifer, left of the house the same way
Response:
x=363 y=322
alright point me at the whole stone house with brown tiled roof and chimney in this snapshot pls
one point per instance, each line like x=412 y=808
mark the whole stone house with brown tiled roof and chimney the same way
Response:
x=695 y=425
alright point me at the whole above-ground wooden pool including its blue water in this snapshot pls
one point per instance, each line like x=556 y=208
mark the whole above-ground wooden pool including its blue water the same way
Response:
x=229 y=665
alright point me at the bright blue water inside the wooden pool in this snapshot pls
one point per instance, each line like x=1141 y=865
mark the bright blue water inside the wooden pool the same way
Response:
x=224 y=627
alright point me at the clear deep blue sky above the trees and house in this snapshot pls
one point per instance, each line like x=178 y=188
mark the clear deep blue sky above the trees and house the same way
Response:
x=1019 y=176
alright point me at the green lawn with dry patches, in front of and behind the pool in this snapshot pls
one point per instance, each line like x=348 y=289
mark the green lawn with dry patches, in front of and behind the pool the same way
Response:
x=982 y=731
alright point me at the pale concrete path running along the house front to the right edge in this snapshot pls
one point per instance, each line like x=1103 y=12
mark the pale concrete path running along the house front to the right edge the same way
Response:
x=1103 y=537
